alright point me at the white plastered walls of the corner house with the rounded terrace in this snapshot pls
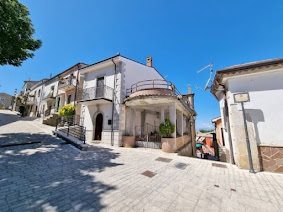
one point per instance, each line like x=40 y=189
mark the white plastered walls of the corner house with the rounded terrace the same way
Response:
x=128 y=73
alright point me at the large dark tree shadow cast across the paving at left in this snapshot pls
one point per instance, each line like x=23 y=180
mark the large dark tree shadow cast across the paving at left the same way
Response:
x=51 y=176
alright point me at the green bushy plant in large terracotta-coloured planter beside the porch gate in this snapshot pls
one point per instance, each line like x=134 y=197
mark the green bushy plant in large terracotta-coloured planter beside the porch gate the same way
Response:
x=166 y=130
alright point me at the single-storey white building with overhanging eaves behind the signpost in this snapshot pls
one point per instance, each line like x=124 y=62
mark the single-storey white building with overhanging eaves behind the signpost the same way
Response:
x=263 y=80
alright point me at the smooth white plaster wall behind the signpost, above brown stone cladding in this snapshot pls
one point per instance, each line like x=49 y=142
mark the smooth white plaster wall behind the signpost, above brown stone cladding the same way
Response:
x=266 y=102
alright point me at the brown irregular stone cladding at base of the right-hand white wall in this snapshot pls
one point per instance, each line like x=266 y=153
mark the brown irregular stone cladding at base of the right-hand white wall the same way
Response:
x=271 y=158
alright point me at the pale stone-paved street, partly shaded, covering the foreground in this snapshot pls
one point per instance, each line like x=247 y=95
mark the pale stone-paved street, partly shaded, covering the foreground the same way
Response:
x=51 y=176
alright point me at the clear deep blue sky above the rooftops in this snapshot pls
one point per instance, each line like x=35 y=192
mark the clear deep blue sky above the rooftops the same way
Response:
x=182 y=36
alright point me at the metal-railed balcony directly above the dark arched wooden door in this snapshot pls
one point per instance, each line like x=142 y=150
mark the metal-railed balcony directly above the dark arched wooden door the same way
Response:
x=95 y=93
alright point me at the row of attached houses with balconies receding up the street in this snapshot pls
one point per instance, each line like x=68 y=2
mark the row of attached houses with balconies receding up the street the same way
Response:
x=47 y=96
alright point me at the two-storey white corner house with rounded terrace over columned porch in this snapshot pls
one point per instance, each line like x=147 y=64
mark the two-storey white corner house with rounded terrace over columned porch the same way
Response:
x=142 y=100
